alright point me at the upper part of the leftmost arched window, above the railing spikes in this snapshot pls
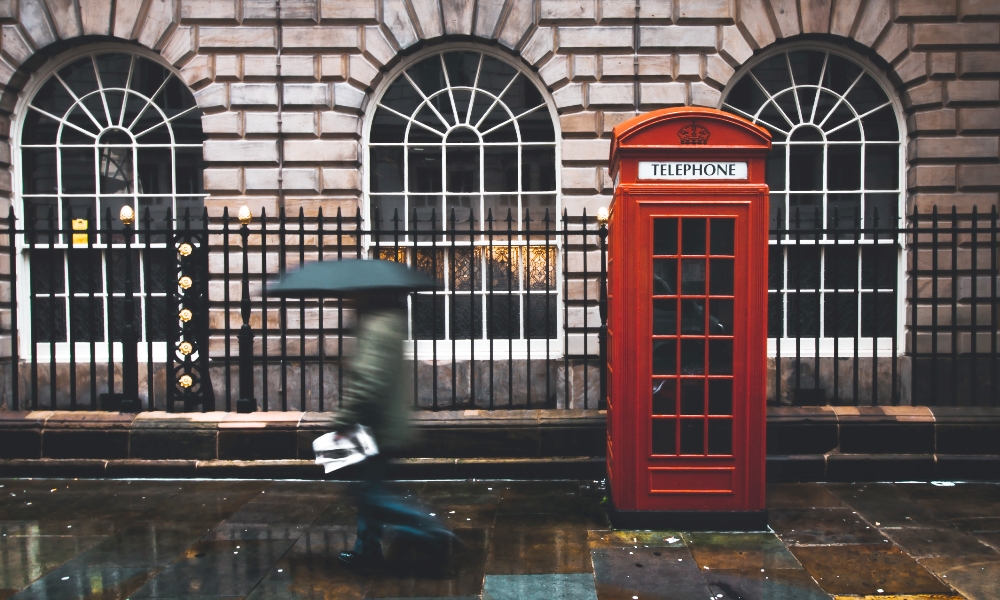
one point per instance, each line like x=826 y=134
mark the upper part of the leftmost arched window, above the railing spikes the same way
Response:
x=111 y=128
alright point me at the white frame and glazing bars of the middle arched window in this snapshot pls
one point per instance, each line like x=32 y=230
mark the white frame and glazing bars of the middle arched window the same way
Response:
x=484 y=348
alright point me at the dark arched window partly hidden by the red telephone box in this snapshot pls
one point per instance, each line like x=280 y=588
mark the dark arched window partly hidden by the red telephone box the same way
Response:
x=834 y=174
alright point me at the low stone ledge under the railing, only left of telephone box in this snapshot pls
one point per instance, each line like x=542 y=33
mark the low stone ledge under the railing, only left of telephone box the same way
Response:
x=266 y=436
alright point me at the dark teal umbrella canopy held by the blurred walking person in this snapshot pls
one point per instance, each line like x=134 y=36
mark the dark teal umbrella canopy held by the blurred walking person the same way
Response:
x=351 y=277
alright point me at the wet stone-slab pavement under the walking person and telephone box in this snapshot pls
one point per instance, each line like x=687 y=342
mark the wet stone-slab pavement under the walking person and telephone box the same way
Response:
x=226 y=539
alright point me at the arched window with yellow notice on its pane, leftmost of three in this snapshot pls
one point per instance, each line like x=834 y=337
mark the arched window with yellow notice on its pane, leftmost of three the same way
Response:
x=107 y=129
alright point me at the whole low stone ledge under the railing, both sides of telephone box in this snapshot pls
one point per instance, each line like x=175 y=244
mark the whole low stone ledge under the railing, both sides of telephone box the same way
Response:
x=478 y=434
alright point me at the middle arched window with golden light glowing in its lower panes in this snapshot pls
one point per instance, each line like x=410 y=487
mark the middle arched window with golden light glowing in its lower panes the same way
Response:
x=463 y=143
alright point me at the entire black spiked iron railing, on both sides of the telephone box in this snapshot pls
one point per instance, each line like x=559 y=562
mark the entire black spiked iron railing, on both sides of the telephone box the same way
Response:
x=863 y=310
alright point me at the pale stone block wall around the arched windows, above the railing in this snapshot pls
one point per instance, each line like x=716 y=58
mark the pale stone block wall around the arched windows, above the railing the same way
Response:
x=602 y=61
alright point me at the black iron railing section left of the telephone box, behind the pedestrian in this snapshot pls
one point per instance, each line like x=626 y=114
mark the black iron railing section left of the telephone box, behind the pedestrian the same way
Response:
x=517 y=324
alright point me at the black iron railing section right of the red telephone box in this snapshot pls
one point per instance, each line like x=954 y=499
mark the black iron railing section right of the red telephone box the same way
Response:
x=838 y=287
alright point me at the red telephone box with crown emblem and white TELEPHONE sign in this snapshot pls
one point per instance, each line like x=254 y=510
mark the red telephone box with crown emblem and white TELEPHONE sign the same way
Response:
x=687 y=321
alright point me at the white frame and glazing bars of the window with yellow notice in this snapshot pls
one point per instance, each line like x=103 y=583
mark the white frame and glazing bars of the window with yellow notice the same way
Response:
x=103 y=350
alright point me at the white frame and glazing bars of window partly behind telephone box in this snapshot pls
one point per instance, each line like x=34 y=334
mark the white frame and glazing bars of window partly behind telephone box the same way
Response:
x=844 y=346
